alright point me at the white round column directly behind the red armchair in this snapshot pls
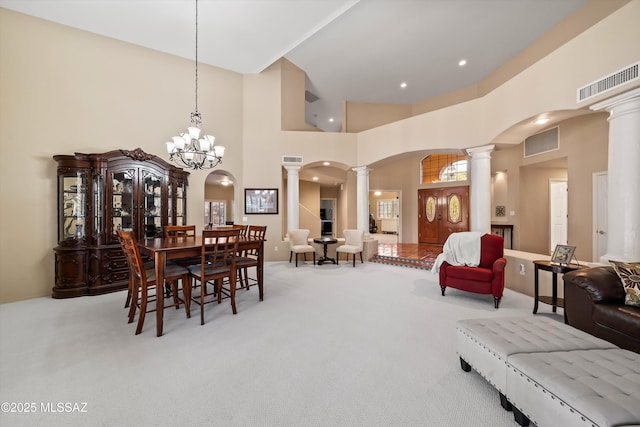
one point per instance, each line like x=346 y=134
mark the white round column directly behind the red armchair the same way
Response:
x=480 y=203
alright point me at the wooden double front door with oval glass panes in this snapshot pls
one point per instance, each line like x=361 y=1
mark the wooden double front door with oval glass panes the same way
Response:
x=442 y=211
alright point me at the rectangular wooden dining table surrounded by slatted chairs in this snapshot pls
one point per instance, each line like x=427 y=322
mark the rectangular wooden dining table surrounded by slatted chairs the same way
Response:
x=163 y=249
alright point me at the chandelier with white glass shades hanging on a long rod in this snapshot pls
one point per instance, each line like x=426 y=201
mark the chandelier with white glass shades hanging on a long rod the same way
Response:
x=189 y=150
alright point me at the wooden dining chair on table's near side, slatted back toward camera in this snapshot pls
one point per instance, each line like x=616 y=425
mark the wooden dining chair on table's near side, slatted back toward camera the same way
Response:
x=217 y=263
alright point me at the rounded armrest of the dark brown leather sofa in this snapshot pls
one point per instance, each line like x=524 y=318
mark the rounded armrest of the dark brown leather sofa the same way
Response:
x=601 y=284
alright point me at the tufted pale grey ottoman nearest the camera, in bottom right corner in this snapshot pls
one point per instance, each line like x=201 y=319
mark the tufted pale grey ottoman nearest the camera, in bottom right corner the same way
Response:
x=577 y=388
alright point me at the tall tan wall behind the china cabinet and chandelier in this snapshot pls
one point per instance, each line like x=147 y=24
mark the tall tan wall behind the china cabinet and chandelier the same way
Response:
x=65 y=91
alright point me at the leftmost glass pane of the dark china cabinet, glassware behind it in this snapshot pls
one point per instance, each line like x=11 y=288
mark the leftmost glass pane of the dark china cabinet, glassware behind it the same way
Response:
x=72 y=206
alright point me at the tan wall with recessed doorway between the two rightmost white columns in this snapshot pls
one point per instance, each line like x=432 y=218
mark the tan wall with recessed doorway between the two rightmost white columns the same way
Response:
x=583 y=142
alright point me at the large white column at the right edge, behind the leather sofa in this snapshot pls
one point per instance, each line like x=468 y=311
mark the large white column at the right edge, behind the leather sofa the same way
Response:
x=623 y=224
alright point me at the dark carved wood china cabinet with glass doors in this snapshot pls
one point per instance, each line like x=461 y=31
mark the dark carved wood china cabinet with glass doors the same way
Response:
x=99 y=194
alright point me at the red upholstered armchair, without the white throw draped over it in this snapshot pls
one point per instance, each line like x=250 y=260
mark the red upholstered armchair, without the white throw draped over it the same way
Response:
x=486 y=278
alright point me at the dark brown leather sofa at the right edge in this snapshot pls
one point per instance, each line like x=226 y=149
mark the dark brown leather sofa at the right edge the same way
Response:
x=594 y=303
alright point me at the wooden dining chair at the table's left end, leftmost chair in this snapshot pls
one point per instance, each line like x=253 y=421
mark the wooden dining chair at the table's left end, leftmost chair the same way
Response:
x=142 y=280
